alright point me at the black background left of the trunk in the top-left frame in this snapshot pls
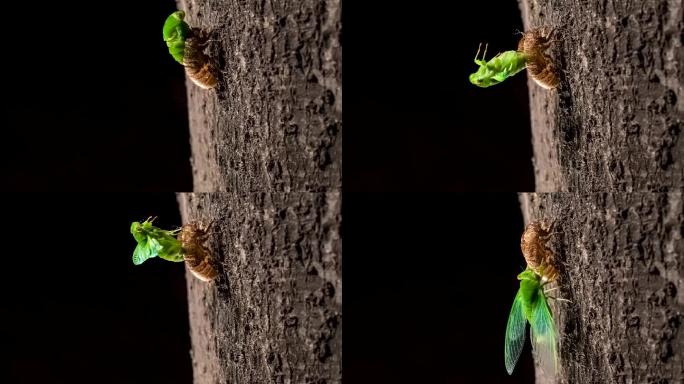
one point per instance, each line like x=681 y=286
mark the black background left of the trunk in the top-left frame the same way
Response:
x=92 y=101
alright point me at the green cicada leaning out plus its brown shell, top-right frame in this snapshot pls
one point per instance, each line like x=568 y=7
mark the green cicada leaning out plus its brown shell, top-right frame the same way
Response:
x=531 y=54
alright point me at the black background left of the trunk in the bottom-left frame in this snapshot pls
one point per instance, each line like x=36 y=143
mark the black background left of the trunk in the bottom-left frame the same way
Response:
x=74 y=307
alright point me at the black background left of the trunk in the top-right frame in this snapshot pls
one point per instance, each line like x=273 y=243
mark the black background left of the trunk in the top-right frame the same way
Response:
x=412 y=120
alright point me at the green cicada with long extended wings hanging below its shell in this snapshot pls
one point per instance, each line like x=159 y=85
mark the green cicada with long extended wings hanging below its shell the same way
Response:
x=530 y=306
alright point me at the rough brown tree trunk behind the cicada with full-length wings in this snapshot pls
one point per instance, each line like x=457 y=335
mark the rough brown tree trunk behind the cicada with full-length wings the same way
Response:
x=621 y=263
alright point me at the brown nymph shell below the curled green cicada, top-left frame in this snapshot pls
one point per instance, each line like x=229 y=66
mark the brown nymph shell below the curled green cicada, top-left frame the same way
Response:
x=198 y=66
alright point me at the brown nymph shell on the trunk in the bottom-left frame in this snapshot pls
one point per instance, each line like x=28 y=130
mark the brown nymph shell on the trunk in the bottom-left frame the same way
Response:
x=198 y=257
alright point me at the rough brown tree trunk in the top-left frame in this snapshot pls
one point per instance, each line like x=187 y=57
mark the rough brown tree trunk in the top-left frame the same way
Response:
x=275 y=119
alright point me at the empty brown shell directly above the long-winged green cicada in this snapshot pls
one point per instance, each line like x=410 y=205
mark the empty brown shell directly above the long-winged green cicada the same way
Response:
x=537 y=255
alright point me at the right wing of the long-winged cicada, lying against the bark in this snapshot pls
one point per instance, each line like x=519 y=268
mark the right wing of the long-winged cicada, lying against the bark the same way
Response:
x=543 y=335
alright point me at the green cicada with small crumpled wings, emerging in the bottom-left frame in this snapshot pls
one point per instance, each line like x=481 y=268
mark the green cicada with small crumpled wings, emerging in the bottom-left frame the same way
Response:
x=155 y=242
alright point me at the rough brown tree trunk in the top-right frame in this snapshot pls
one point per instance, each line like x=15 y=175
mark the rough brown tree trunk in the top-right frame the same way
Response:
x=616 y=120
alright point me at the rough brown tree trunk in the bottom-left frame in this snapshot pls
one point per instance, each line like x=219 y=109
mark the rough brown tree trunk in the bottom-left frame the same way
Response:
x=274 y=313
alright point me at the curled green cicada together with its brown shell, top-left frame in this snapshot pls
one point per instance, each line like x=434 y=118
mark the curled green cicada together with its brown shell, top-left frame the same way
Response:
x=186 y=45
